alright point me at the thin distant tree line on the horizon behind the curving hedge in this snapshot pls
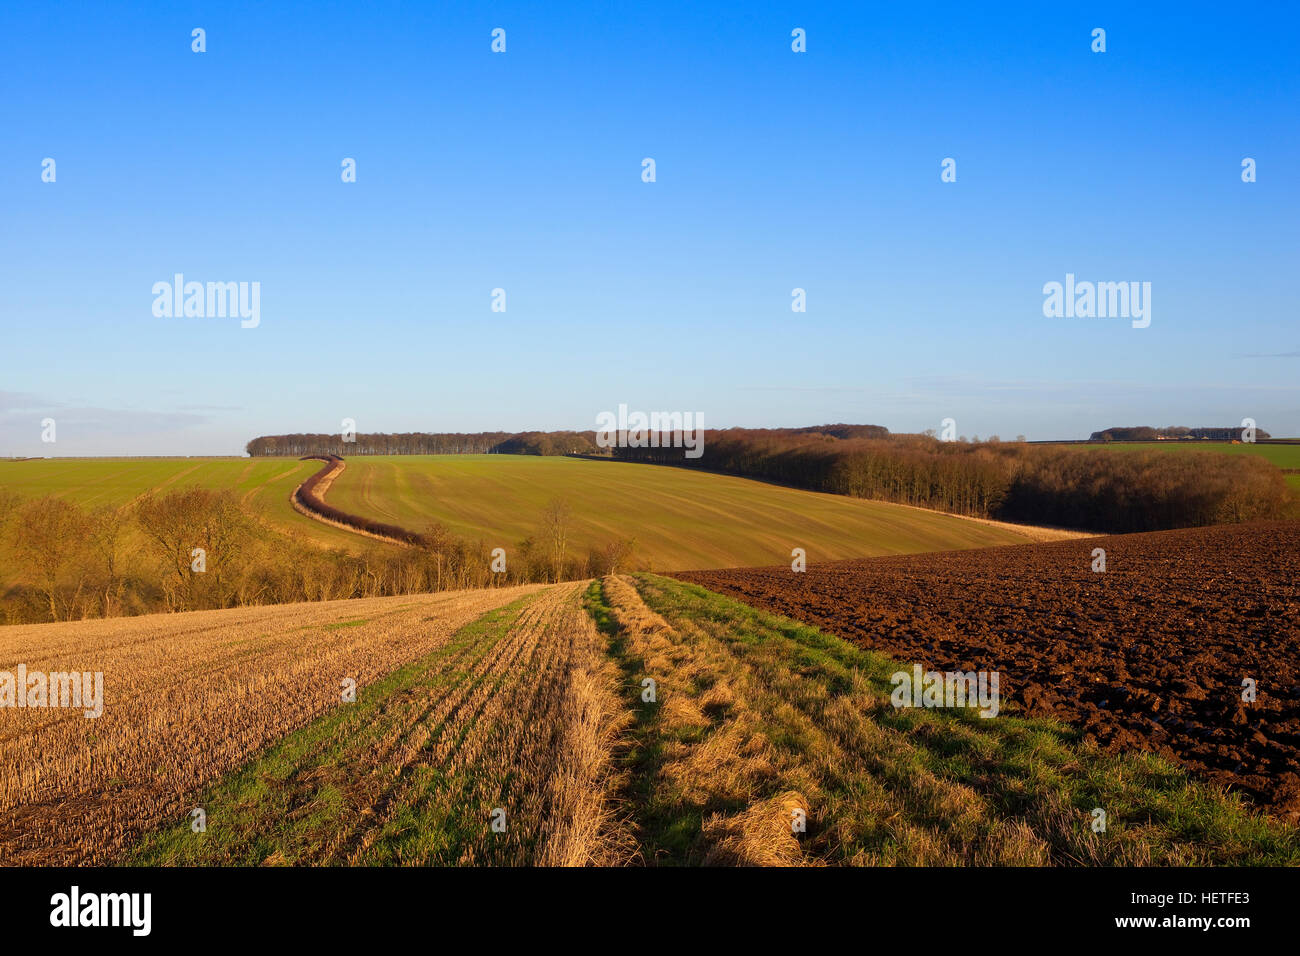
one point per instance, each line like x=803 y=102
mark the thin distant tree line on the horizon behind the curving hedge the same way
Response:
x=426 y=444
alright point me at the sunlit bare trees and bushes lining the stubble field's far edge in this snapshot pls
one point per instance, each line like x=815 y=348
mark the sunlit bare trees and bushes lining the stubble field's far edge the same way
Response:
x=63 y=563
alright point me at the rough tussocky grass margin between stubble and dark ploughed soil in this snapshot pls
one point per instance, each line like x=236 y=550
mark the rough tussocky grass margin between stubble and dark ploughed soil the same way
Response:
x=759 y=717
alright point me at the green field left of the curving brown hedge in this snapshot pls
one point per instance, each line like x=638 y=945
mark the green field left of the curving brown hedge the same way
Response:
x=265 y=486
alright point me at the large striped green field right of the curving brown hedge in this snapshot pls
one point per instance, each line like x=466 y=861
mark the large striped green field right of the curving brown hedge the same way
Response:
x=681 y=520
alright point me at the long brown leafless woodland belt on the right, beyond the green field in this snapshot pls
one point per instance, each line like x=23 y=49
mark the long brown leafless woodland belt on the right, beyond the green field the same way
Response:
x=1069 y=487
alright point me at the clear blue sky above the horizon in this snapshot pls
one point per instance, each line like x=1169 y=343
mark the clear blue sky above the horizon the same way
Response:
x=523 y=171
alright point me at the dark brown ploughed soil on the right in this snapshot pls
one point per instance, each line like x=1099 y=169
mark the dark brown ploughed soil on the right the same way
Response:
x=1150 y=655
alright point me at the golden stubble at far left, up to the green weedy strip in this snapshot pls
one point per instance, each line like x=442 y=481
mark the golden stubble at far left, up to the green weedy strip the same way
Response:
x=188 y=698
